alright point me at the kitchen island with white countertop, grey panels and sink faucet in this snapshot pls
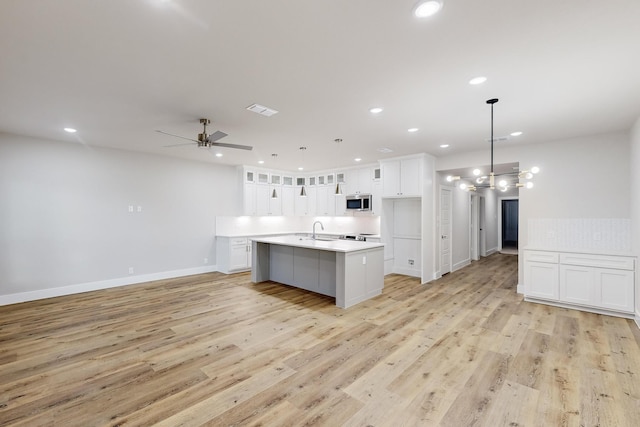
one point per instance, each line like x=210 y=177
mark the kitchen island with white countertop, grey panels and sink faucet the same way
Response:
x=350 y=271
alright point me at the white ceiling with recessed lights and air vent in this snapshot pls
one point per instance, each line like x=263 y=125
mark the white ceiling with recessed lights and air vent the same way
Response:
x=118 y=70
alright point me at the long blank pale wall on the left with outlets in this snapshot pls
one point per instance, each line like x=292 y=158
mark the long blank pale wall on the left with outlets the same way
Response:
x=65 y=221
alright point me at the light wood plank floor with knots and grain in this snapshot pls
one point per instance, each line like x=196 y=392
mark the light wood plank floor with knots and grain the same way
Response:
x=218 y=350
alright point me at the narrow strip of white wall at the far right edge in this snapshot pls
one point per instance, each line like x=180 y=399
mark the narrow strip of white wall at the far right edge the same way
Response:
x=634 y=164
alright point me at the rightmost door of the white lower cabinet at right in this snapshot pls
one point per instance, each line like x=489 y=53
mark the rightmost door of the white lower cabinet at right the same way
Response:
x=615 y=289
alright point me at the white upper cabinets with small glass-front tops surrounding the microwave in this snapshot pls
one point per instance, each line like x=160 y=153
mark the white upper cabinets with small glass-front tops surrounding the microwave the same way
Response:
x=271 y=192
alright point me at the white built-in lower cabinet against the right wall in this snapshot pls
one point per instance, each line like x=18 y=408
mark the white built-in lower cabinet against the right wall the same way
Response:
x=600 y=283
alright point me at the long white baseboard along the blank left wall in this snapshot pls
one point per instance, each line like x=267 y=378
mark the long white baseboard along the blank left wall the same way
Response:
x=101 y=284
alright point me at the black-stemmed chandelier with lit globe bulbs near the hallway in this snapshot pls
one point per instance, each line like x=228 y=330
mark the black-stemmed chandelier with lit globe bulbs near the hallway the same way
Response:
x=503 y=181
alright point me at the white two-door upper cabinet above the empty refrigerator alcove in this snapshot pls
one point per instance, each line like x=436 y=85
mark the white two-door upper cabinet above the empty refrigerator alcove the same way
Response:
x=401 y=177
